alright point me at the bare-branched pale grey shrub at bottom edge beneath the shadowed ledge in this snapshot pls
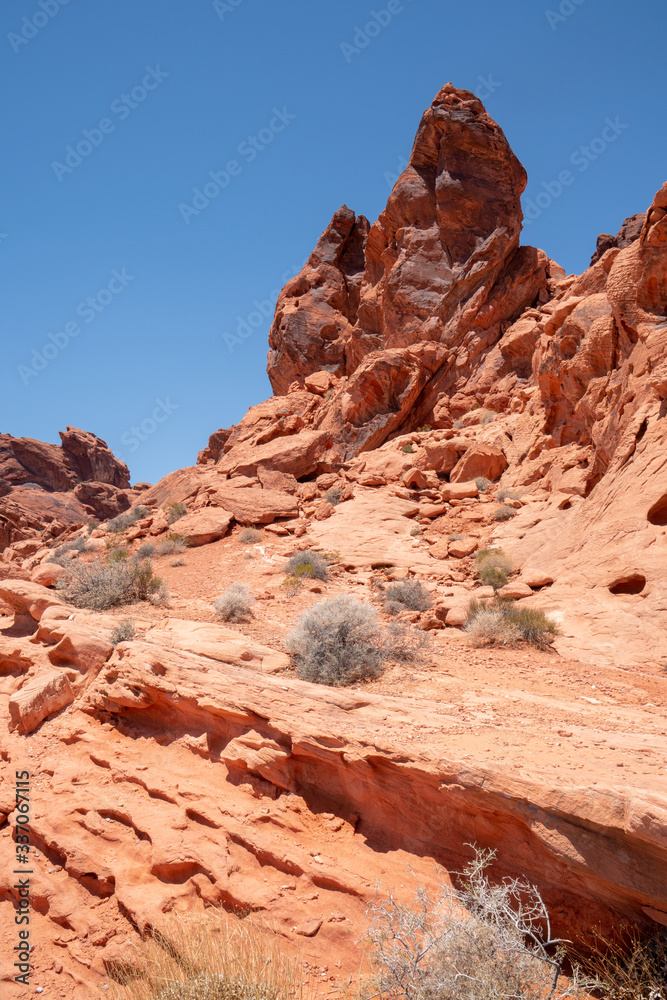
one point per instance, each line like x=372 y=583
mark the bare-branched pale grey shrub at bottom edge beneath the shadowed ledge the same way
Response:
x=481 y=941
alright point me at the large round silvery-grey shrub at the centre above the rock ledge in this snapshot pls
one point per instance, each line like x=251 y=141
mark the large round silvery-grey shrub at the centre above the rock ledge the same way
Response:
x=338 y=641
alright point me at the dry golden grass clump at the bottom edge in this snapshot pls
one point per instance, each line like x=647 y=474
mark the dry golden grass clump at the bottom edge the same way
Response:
x=208 y=957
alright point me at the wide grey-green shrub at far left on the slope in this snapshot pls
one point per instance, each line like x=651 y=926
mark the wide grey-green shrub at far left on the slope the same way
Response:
x=100 y=585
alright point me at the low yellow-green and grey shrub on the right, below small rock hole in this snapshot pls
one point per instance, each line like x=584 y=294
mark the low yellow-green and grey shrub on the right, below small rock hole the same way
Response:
x=506 y=623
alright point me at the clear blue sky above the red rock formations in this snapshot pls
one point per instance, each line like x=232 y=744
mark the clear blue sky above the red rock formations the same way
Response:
x=180 y=88
